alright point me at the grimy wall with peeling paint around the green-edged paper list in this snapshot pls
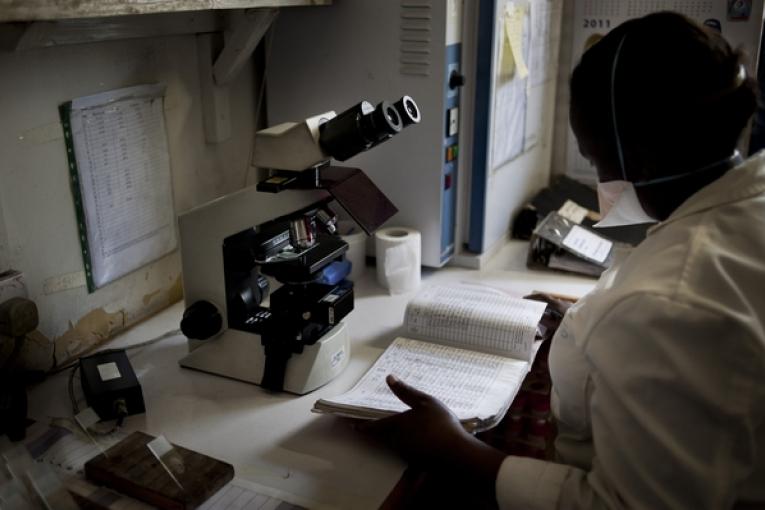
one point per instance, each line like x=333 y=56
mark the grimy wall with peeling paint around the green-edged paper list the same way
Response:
x=38 y=233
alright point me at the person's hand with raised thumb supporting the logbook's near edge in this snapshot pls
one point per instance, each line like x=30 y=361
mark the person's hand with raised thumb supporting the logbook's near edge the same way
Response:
x=430 y=436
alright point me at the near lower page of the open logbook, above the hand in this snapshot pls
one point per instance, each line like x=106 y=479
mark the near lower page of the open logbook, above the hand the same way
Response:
x=472 y=384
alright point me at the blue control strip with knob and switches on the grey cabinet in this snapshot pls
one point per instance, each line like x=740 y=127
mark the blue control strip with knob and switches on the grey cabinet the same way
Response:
x=449 y=196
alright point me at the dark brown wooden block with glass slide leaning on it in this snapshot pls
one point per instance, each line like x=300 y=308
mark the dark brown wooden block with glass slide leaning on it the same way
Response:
x=130 y=468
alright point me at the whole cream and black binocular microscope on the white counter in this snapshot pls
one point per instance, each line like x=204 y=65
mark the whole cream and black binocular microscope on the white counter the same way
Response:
x=292 y=339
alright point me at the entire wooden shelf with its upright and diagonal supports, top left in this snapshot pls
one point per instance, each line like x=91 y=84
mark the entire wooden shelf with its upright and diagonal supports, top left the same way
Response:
x=241 y=24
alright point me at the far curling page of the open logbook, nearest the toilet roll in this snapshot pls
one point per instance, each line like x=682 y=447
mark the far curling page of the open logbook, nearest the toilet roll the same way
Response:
x=475 y=317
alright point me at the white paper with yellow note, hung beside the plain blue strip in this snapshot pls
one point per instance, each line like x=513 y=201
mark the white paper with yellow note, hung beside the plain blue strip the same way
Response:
x=511 y=82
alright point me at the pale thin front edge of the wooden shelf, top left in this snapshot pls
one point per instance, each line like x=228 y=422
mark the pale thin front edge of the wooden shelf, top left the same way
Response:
x=38 y=10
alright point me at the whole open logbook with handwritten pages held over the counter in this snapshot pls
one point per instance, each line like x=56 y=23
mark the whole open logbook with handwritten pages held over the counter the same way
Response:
x=468 y=345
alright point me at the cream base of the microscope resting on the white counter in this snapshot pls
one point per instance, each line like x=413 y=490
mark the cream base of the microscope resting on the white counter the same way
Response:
x=239 y=355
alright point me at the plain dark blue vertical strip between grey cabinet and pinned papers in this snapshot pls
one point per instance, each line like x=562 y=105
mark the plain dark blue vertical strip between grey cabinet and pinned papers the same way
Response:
x=483 y=80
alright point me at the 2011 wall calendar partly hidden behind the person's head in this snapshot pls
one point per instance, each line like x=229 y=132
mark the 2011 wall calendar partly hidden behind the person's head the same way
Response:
x=739 y=22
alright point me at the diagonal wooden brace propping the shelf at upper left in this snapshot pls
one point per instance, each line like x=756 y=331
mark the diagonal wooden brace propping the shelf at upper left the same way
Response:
x=242 y=42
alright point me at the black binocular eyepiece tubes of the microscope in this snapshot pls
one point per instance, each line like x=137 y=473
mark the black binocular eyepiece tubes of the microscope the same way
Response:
x=363 y=126
